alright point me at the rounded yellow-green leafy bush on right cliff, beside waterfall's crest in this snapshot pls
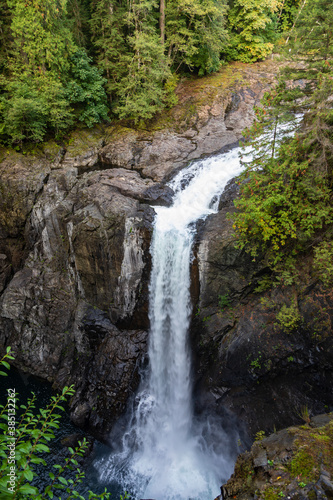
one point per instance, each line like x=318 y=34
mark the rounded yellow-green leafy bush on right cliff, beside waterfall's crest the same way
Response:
x=285 y=200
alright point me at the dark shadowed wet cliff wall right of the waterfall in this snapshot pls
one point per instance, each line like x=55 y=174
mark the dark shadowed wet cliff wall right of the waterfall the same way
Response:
x=242 y=353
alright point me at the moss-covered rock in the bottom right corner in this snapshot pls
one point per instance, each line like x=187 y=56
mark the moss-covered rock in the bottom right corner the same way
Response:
x=299 y=464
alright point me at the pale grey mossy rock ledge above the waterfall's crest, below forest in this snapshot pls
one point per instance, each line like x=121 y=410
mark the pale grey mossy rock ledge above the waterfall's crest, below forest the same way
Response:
x=211 y=126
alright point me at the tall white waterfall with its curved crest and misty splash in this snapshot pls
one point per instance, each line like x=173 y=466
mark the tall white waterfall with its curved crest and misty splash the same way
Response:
x=166 y=453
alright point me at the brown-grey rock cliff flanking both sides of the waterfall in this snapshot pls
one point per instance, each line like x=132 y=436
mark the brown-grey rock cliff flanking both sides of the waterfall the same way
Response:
x=75 y=229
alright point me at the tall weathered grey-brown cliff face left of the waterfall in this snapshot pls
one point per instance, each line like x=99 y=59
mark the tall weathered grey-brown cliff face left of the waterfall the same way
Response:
x=72 y=244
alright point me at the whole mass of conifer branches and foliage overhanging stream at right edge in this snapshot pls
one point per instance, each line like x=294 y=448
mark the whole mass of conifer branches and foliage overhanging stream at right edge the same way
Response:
x=285 y=202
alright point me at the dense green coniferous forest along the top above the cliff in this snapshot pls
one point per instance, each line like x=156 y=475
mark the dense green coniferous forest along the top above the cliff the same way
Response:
x=69 y=62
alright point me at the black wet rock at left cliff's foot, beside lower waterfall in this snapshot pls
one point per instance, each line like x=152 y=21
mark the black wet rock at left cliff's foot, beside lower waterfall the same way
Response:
x=106 y=373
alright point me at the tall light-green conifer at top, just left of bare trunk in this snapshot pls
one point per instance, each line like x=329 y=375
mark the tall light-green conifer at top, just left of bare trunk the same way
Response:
x=127 y=39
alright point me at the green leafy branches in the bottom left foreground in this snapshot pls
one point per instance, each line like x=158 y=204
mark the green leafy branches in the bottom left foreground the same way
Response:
x=29 y=439
